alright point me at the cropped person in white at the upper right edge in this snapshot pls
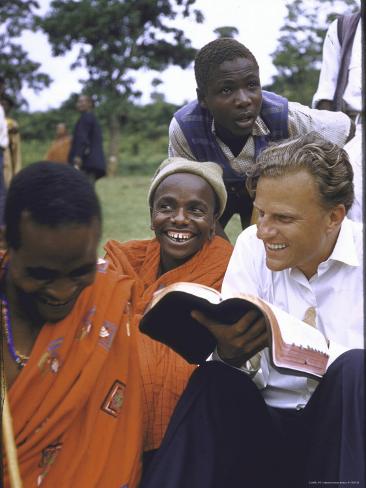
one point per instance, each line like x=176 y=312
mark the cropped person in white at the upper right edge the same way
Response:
x=340 y=88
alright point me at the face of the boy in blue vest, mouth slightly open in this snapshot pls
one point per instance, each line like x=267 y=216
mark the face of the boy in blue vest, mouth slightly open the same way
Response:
x=234 y=96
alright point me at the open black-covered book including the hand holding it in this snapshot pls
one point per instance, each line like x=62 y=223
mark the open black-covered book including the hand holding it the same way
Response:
x=295 y=347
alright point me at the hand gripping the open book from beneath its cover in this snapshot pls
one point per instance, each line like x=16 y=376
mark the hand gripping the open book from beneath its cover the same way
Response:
x=238 y=342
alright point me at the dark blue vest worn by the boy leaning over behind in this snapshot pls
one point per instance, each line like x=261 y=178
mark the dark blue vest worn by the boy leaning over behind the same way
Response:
x=196 y=124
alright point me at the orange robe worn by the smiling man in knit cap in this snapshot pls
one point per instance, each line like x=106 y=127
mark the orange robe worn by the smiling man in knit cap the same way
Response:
x=164 y=373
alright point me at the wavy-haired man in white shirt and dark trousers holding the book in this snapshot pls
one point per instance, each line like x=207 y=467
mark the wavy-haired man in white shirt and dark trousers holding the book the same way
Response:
x=303 y=254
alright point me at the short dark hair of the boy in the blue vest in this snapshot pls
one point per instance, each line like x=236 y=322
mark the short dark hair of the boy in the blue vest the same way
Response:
x=215 y=53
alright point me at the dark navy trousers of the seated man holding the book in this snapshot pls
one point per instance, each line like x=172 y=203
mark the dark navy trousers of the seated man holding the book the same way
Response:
x=222 y=434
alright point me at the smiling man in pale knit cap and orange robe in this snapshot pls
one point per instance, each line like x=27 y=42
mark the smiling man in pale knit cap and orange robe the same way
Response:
x=185 y=200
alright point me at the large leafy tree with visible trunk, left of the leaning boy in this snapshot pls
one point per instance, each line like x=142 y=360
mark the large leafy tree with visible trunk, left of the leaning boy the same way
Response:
x=116 y=39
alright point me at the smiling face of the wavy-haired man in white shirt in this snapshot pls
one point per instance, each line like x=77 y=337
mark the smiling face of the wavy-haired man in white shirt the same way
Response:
x=296 y=230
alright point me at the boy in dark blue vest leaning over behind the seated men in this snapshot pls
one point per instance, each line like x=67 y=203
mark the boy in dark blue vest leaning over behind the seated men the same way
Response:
x=232 y=120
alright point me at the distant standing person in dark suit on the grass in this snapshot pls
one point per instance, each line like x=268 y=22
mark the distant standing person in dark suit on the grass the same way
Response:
x=86 y=151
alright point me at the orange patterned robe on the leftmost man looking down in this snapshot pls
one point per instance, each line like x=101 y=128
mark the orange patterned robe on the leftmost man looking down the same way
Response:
x=77 y=404
